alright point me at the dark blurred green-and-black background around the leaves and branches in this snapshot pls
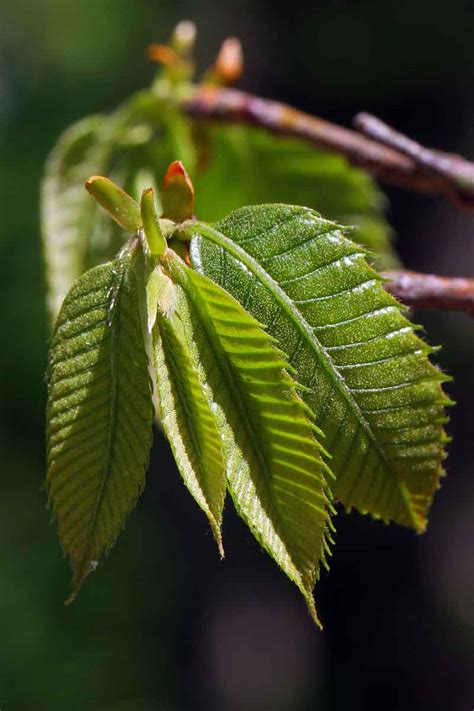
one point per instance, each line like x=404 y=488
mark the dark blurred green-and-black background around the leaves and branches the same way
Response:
x=164 y=625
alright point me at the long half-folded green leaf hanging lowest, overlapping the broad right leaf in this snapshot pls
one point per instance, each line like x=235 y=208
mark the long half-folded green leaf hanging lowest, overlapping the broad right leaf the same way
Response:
x=275 y=471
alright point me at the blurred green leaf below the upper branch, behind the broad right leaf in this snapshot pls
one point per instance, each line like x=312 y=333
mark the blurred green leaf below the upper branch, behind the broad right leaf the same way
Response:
x=244 y=165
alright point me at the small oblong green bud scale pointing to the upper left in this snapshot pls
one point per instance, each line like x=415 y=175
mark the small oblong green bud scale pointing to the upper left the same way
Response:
x=120 y=206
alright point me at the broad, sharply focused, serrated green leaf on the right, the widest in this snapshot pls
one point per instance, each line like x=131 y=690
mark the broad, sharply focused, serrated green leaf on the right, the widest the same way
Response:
x=374 y=392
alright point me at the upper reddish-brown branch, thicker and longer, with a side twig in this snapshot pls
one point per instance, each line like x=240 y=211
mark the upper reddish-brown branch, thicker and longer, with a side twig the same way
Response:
x=399 y=162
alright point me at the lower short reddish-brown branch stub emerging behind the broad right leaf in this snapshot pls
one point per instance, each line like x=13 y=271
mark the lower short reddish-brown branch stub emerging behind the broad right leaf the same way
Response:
x=429 y=291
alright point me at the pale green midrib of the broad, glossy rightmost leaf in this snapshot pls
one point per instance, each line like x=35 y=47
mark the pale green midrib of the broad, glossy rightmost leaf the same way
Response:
x=304 y=329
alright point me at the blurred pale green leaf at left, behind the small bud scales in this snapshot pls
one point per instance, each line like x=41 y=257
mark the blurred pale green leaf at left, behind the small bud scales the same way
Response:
x=76 y=234
